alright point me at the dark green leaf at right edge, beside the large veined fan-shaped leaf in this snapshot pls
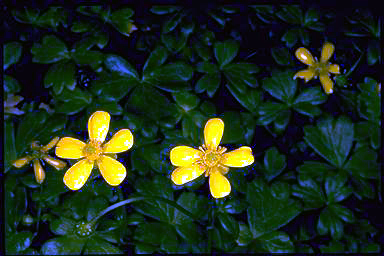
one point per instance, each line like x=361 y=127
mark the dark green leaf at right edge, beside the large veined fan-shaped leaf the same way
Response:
x=363 y=164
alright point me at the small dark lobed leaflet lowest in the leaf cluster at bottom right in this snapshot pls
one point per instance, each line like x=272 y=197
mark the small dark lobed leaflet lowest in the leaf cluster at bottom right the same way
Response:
x=328 y=222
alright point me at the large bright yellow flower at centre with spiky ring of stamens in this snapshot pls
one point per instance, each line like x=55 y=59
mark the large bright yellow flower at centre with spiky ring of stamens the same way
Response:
x=210 y=158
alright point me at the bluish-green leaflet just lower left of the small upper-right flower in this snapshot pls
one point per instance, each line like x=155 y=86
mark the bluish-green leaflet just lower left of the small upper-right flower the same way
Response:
x=281 y=86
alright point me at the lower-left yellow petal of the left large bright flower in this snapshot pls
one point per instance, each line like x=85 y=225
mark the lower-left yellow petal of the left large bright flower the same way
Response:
x=78 y=174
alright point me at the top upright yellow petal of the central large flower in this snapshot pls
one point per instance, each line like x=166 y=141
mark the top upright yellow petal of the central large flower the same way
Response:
x=213 y=132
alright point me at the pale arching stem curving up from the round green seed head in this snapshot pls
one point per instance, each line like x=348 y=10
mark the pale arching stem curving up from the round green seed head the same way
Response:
x=140 y=198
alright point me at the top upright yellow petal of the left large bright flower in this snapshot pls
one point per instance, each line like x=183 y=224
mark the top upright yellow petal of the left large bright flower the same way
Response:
x=98 y=126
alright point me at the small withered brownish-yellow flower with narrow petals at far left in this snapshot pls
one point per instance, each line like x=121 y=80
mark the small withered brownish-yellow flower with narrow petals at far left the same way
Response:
x=38 y=154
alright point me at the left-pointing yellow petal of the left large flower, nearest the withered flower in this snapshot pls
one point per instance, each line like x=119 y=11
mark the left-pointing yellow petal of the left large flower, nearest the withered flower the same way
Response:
x=70 y=148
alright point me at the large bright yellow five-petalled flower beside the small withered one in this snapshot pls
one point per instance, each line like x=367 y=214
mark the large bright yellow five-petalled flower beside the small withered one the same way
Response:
x=95 y=150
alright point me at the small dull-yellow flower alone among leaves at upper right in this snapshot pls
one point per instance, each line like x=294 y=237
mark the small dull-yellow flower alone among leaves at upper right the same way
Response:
x=316 y=68
